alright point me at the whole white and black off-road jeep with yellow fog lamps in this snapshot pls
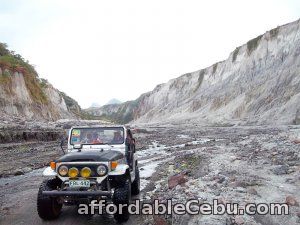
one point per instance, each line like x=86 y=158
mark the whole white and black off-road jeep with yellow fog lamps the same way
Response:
x=99 y=164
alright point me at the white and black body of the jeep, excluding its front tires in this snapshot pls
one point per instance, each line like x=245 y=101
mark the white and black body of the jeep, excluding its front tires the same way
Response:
x=92 y=156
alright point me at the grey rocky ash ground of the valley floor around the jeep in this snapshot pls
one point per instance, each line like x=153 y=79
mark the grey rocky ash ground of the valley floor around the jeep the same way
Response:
x=232 y=164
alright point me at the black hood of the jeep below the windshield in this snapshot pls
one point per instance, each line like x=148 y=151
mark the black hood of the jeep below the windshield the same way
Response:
x=91 y=156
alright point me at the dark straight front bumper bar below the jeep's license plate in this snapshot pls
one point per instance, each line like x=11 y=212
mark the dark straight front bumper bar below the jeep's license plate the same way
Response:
x=79 y=193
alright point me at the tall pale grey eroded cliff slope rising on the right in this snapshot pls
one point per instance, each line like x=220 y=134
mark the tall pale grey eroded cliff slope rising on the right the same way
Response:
x=259 y=83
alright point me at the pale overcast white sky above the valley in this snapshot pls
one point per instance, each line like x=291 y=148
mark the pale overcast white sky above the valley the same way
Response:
x=96 y=50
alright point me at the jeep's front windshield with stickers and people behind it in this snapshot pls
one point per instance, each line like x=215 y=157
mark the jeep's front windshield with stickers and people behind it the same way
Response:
x=97 y=136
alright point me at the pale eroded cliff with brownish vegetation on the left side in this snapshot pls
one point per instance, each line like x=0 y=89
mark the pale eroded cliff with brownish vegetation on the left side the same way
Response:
x=31 y=99
